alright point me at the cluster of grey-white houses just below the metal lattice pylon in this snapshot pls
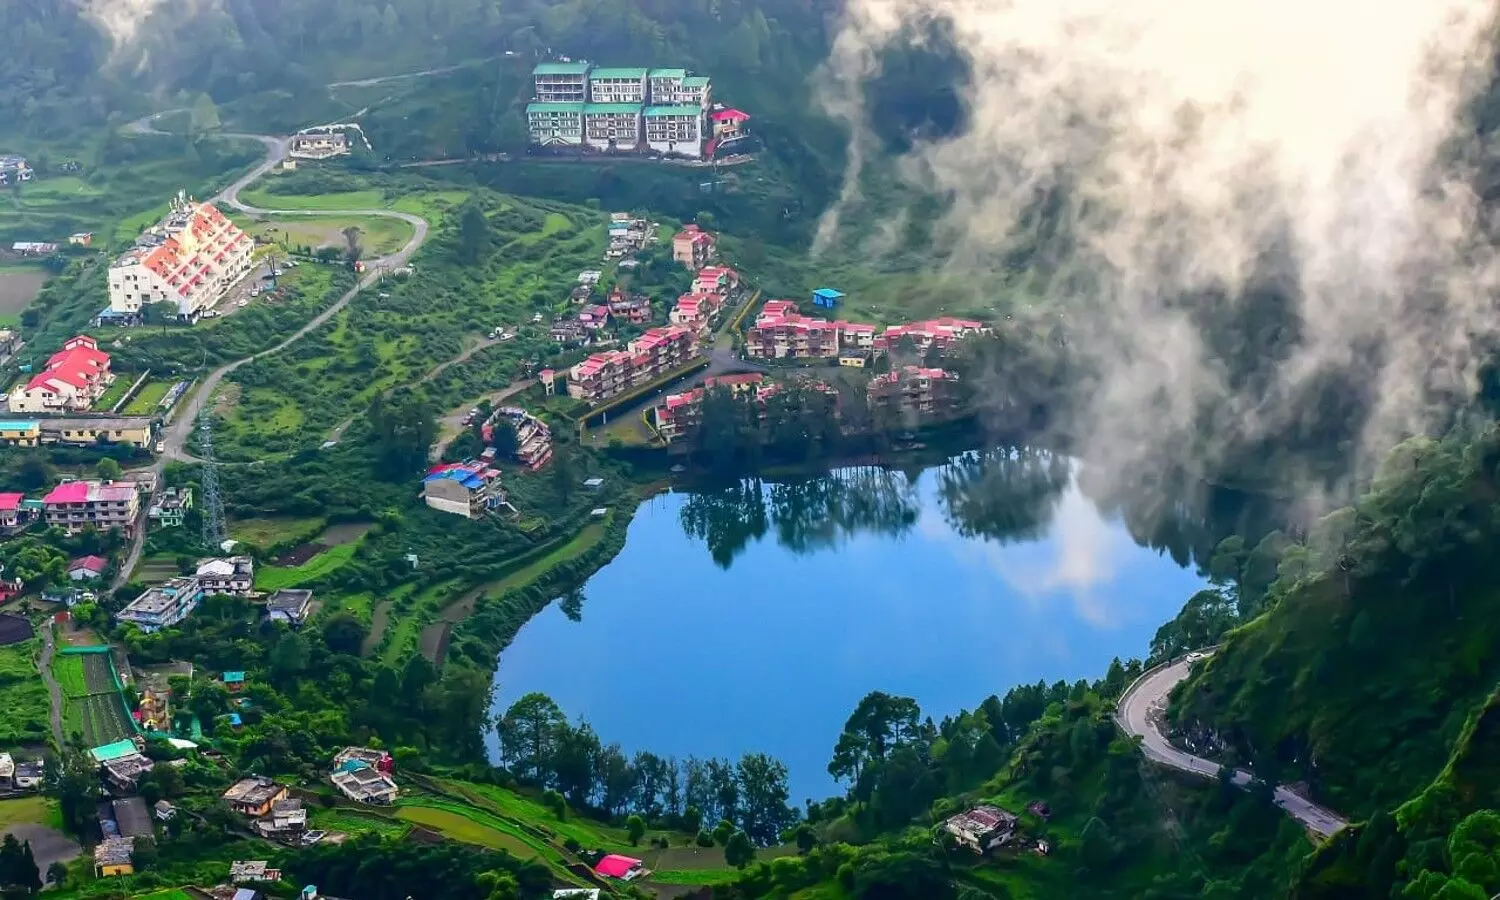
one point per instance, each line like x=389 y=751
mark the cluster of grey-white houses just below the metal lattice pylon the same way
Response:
x=169 y=604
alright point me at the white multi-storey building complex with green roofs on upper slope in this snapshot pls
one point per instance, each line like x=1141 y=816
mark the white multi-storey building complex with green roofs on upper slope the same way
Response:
x=629 y=110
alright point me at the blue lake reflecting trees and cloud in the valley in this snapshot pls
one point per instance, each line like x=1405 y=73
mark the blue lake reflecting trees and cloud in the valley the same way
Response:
x=754 y=619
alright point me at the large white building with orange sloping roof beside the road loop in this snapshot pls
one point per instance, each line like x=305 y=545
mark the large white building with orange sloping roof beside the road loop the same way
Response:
x=191 y=260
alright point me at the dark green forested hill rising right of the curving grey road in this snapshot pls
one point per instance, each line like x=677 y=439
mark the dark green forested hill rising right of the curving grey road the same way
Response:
x=1370 y=676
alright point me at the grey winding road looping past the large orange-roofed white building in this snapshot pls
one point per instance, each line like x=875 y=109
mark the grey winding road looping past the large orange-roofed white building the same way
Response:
x=175 y=437
